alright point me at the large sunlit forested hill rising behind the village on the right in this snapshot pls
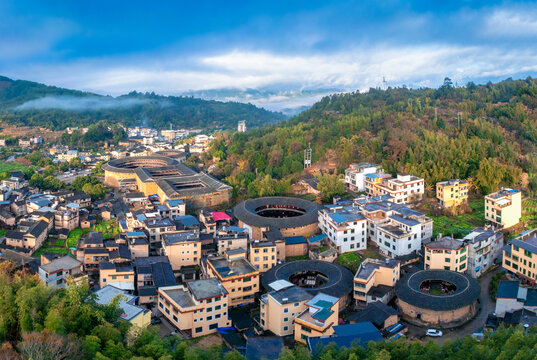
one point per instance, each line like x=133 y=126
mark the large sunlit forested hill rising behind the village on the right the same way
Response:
x=485 y=132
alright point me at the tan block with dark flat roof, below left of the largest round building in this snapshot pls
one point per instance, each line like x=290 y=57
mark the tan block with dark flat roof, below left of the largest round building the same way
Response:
x=238 y=275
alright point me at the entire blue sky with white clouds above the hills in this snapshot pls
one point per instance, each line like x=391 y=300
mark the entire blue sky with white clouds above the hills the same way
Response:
x=281 y=47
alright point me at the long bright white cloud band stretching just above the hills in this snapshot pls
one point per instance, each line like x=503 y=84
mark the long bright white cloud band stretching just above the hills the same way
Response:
x=353 y=68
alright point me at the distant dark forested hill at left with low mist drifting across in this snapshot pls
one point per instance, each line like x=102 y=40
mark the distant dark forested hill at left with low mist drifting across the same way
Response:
x=34 y=104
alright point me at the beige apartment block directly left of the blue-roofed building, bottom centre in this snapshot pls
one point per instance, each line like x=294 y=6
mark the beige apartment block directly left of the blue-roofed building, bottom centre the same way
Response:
x=280 y=307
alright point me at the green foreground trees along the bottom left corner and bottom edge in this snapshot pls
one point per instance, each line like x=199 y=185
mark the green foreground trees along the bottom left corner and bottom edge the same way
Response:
x=38 y=322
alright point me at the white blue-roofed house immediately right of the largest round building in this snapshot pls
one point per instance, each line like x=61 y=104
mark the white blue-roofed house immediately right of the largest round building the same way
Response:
x=345 y=226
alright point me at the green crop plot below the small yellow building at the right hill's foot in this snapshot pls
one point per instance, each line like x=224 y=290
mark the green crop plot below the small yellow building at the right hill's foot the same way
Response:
x=460 y=225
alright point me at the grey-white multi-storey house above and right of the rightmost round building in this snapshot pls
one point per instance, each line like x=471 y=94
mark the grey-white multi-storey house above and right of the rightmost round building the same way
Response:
x=485 y=246
